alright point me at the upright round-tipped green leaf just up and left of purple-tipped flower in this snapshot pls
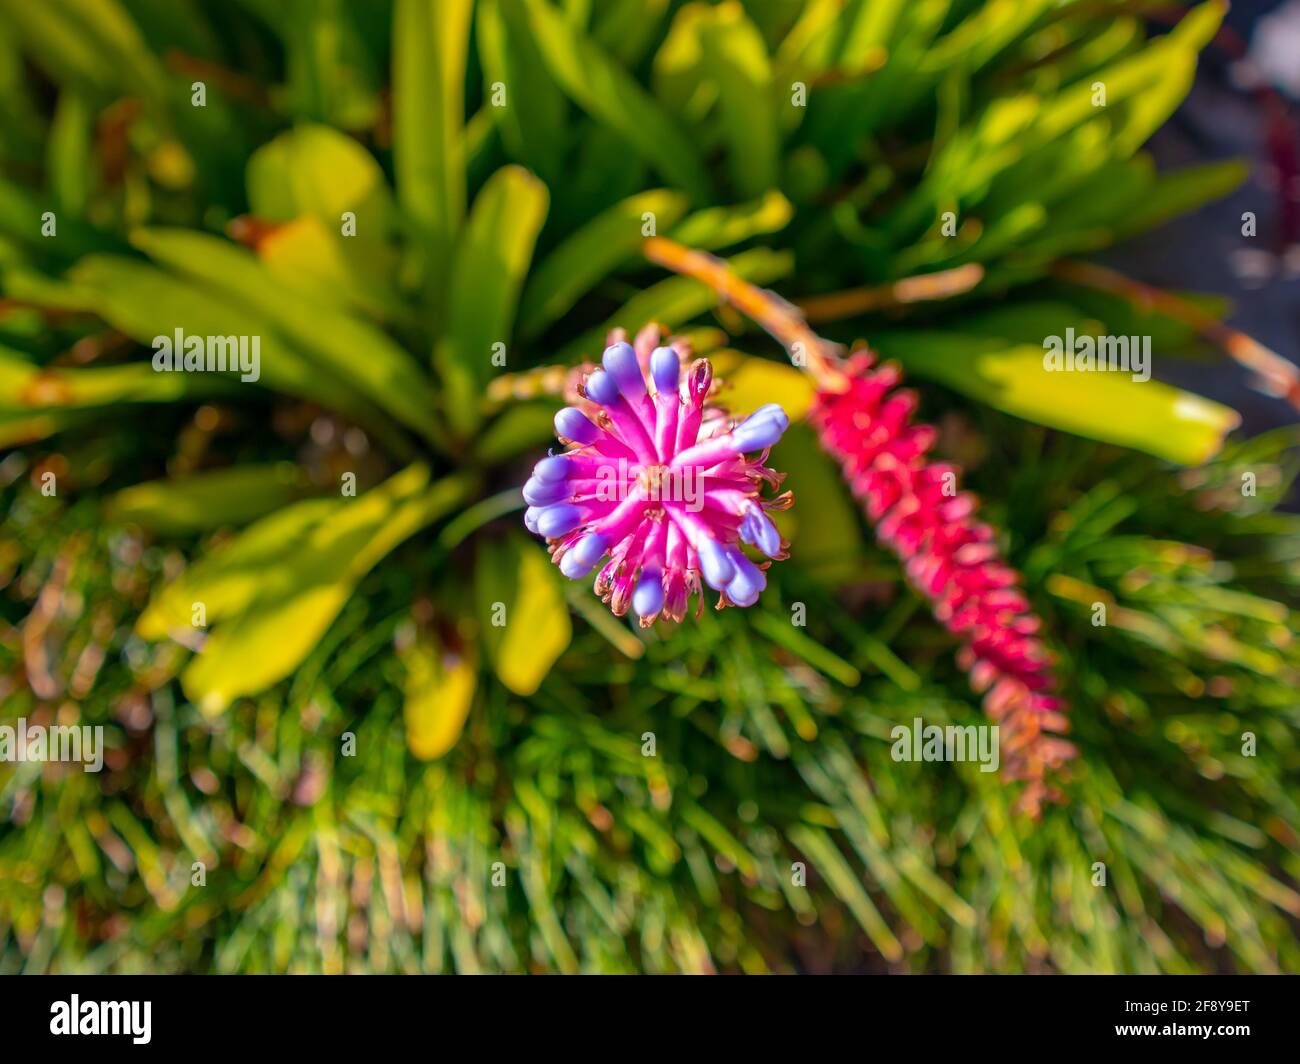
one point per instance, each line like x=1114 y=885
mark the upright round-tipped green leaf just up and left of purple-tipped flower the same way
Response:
x=492 y=262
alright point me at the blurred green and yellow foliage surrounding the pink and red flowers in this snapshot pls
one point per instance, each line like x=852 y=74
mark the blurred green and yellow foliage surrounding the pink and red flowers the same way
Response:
x=500 y=162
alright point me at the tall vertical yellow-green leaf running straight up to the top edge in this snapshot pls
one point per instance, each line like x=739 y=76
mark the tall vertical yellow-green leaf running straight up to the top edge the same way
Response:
x=430 y=47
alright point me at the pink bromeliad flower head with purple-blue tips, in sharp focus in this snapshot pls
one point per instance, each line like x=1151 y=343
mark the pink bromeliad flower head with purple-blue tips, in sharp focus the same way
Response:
x=662 y=492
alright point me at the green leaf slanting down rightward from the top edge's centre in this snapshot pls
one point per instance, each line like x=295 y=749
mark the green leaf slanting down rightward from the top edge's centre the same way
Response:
x=613 y=98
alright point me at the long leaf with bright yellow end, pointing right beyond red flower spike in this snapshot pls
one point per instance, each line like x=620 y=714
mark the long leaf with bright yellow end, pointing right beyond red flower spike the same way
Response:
x=1110 y=406
